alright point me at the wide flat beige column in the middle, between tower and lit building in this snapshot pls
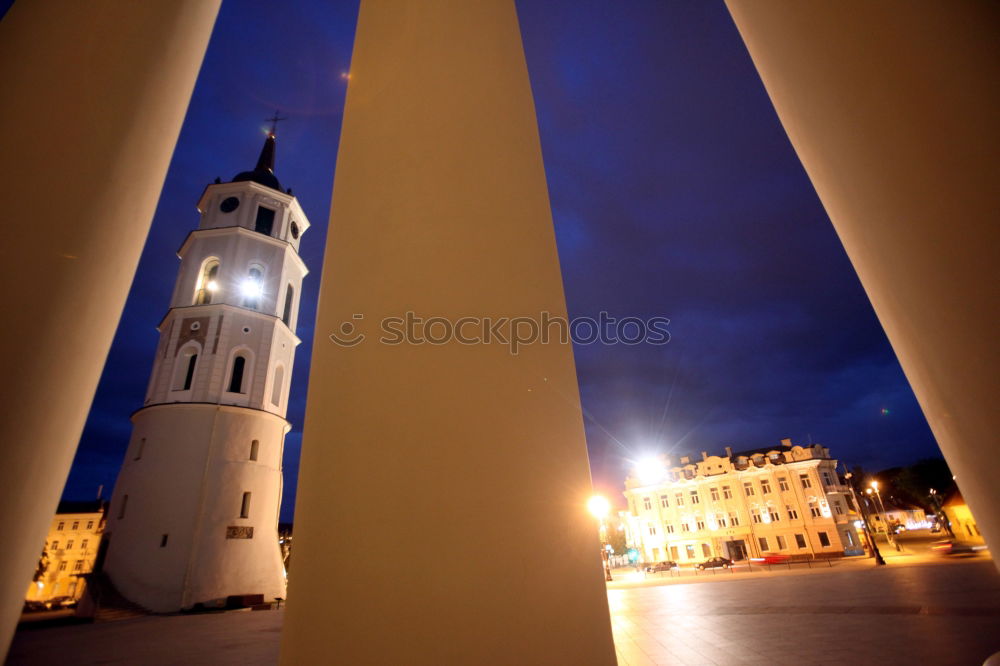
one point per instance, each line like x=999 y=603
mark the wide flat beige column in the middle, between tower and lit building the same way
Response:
x=441 y=512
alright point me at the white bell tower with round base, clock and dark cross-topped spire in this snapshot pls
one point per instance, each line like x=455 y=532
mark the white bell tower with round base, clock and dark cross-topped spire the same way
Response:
x=193 y=518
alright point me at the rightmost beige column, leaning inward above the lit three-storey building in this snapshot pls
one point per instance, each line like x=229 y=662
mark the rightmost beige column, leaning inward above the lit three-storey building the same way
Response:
x=892 y=108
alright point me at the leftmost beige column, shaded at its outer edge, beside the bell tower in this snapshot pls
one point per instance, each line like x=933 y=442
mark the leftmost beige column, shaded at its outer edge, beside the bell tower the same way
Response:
x=93 y=98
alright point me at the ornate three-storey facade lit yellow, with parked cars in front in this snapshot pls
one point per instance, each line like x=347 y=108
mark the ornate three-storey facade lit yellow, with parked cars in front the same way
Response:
x=784 y=500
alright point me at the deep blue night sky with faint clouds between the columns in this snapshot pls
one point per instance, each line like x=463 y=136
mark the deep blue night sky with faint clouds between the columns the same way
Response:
x=675 y=193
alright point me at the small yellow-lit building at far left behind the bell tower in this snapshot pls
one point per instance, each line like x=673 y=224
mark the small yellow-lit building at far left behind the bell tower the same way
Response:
x=70 y=551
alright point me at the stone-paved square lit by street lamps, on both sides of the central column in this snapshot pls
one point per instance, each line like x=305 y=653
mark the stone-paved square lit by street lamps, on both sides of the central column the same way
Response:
x=943 y=613
